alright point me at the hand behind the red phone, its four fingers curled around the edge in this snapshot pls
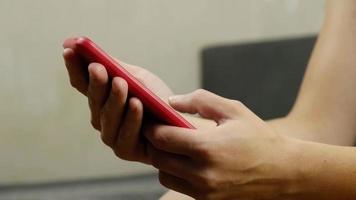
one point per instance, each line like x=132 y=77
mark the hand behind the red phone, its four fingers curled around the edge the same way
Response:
x=117 y=117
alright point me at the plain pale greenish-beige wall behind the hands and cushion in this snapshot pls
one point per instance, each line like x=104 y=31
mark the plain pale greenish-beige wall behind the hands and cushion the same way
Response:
x=44 y=123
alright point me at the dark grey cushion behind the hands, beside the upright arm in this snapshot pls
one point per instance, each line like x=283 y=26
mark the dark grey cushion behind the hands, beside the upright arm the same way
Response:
x=265 y=76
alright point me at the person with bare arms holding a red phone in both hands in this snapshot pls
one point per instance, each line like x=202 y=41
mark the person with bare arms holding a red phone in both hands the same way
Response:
x=233 y=154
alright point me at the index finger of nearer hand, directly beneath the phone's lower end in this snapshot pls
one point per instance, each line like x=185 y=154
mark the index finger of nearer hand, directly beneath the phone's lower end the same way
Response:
x=173 y=139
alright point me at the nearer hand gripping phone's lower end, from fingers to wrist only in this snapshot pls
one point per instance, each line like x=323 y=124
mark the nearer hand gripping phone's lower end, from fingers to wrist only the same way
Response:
x=241 y=158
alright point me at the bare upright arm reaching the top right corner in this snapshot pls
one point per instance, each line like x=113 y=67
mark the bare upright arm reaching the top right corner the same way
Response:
x=325 y=110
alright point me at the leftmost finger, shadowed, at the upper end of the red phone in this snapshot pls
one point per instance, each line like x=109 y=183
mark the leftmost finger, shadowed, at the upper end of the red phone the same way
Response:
x=77 y=70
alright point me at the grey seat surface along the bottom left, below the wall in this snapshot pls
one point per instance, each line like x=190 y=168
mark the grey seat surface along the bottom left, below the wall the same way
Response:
x=140 y=187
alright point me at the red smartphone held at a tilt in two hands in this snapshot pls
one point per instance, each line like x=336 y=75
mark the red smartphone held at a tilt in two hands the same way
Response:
x=151 y=102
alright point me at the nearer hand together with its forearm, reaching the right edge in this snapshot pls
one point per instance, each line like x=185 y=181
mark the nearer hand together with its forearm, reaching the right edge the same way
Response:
x=245 y=158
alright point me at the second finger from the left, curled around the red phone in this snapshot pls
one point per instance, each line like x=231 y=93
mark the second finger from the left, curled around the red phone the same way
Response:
x=97 y=92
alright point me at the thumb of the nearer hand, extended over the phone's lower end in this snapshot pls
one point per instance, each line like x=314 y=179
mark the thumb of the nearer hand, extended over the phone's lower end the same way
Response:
x=207 y=105
